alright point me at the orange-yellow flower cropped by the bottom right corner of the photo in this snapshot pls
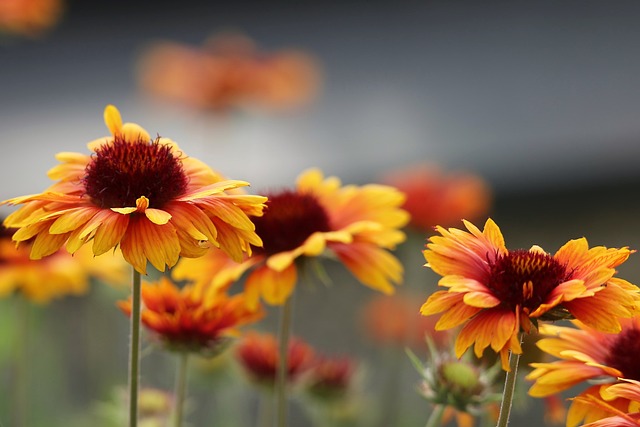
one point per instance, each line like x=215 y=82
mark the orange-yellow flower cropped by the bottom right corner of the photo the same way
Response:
x=587 y=355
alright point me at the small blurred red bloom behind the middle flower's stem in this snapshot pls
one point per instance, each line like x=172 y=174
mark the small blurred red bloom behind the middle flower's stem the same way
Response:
x=259 y=356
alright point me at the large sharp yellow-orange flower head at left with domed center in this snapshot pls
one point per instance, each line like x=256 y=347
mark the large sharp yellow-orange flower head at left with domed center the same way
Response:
x=140 y=194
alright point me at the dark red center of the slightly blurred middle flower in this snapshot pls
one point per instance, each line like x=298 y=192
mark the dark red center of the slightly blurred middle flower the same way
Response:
x=289 y=219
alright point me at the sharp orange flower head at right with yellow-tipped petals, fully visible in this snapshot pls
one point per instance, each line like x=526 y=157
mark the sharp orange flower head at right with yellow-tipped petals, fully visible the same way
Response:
x=496 y=293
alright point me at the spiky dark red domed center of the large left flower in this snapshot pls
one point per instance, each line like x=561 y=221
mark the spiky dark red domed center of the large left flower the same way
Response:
x=121 y=172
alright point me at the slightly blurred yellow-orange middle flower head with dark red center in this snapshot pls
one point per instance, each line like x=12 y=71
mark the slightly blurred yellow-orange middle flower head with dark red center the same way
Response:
x=357 y=225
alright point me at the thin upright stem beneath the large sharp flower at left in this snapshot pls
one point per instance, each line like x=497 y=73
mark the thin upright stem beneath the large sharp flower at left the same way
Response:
x=134 y=350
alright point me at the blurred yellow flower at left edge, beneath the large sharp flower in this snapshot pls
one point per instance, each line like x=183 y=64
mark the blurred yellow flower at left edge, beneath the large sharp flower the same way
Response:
x=56 y=276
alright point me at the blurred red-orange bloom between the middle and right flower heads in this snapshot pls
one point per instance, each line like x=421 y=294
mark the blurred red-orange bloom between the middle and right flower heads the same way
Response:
x=438 y=198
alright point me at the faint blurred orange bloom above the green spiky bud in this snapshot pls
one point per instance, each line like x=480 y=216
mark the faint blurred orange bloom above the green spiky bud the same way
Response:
x=396 y=320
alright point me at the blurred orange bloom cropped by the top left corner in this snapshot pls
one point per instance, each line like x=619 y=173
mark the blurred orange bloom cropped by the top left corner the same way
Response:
x=29 y=17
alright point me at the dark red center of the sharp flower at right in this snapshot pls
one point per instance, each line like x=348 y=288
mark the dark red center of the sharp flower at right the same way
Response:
x=525 y=278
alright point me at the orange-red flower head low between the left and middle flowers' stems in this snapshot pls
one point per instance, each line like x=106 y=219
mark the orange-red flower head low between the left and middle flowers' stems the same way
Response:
x=192 y=319
